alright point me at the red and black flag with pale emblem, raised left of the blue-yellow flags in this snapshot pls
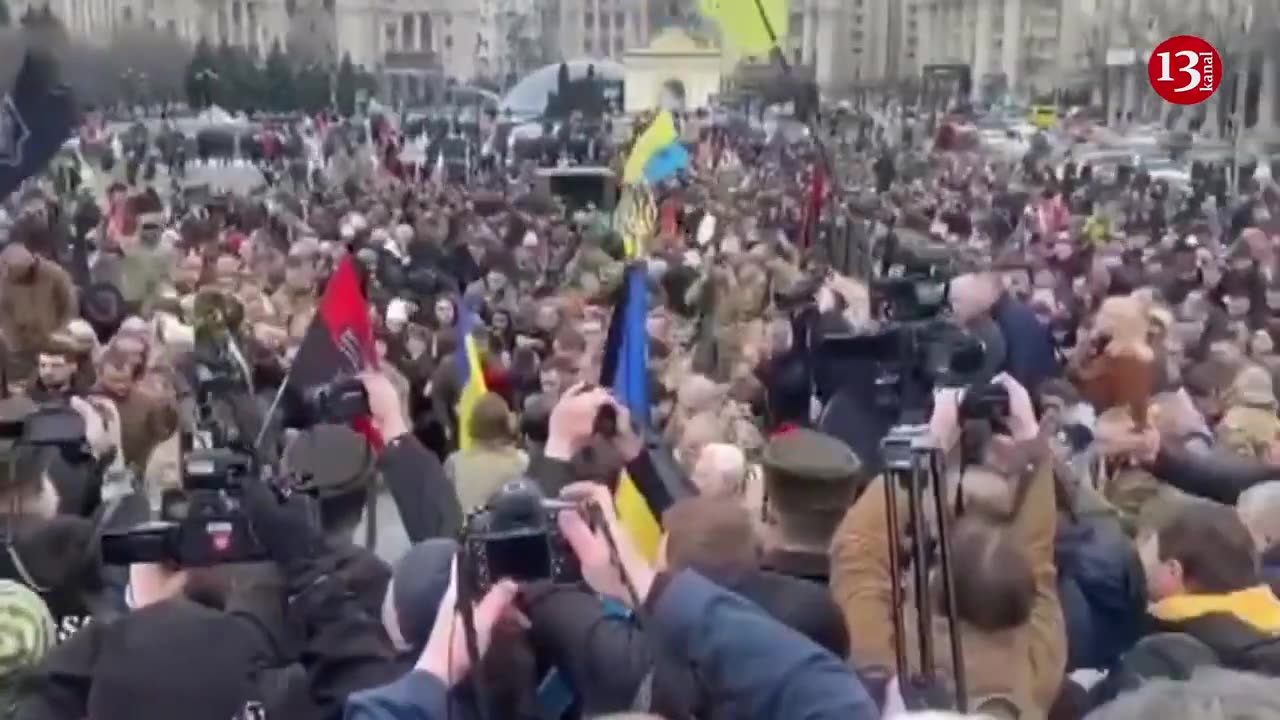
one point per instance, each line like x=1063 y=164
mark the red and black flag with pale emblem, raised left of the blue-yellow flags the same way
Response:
x=340 y=344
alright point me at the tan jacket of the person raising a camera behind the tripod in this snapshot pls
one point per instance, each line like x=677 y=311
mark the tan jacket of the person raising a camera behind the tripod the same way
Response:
x=1025 y=666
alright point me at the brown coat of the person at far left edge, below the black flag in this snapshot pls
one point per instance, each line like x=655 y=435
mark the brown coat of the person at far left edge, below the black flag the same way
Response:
x=30 y=312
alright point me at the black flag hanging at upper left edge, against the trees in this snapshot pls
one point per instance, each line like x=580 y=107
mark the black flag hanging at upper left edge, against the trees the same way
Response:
x=35 y=120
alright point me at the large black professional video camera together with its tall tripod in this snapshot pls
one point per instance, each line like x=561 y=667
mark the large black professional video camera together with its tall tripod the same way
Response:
x=917 y=352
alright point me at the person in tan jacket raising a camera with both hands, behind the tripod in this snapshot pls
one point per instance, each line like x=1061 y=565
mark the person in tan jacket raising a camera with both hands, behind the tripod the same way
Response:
x=1002 y=555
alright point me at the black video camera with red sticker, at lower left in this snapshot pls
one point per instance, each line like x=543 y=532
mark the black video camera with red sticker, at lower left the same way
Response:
x=203 y=525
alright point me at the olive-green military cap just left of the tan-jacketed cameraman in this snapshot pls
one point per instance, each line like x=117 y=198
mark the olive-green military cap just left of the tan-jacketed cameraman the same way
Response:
x=811 y=471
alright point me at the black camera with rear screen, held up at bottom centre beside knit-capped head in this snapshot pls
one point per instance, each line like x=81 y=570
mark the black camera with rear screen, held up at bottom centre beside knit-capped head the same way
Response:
x=516 y=537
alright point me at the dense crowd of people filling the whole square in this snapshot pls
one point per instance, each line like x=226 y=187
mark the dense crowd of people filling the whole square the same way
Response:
x=1108 y=546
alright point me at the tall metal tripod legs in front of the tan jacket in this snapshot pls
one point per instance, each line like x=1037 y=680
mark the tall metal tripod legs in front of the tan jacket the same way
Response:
x=913 y=463
